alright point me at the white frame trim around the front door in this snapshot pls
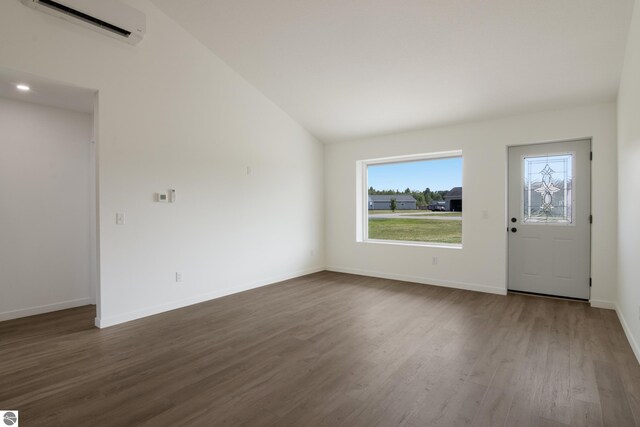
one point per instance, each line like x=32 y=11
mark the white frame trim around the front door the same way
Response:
x=506 y=204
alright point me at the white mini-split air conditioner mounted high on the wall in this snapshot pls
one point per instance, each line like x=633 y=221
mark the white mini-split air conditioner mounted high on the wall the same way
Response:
x=109 y=17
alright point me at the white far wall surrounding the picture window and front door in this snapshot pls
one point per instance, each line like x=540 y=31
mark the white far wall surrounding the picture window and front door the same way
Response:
x=481 y=263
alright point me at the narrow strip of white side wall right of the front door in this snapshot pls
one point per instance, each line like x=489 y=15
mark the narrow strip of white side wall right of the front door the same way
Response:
x=629 y=187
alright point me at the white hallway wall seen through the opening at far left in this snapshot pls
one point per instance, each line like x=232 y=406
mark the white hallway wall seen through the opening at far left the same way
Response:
x=46 y=205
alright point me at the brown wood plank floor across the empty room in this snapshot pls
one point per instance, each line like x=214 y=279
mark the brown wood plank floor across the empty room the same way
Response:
x=327 y=349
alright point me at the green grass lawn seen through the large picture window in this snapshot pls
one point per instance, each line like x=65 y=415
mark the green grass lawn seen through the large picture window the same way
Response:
x=416 y=230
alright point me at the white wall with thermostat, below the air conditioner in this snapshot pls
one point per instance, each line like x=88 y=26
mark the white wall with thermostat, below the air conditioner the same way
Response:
x=173 y=115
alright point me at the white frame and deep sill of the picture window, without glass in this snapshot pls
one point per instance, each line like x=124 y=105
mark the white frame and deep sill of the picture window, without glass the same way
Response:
x=362 y=197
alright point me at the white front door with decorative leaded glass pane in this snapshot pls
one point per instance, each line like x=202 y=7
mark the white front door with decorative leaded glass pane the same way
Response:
x=550 y=218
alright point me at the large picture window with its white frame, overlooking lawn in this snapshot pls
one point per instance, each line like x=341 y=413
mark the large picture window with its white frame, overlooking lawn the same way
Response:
x=412 y=200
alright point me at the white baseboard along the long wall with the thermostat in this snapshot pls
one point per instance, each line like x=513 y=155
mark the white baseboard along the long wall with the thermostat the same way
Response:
x=105 y=322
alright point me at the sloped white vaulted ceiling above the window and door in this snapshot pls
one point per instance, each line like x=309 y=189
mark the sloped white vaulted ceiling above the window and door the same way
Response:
x=351 y=68
